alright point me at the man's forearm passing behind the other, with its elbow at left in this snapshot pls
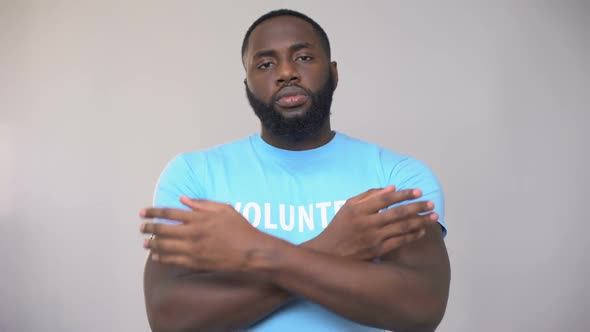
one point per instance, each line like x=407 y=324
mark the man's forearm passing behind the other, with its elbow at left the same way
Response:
x=209 y=301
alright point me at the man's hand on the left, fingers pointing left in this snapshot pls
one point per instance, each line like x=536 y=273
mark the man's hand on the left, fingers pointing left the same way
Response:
x=212 y=237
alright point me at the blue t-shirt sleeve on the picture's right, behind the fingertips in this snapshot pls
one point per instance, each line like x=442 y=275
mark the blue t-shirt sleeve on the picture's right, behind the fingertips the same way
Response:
x=410 y=173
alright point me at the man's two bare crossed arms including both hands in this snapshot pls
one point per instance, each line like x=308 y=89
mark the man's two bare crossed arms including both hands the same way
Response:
x=406 y=291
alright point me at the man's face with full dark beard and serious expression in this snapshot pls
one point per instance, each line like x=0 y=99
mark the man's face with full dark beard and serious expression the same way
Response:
x=290 y=81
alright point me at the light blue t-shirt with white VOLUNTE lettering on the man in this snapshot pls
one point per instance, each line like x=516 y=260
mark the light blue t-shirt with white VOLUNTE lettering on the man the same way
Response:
x=293 y=195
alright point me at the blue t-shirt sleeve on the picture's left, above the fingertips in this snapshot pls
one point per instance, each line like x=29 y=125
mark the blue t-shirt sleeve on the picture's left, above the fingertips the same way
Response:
x=176 y=180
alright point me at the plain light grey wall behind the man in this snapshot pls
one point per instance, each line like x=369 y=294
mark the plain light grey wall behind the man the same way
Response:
x=96 y=97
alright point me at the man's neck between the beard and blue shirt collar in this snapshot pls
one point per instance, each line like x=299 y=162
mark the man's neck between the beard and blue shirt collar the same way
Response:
x=311 y=141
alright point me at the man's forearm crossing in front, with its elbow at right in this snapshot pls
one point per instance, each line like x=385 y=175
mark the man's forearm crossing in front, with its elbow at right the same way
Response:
x=382 y=295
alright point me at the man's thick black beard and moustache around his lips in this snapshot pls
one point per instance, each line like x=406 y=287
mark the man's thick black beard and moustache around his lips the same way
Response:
x=301 y=127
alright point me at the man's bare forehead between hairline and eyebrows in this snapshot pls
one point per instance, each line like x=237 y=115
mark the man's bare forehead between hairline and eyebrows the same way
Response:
x=281 y=32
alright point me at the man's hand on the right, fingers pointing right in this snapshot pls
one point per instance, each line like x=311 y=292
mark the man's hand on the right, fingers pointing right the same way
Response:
x=361 y=230
